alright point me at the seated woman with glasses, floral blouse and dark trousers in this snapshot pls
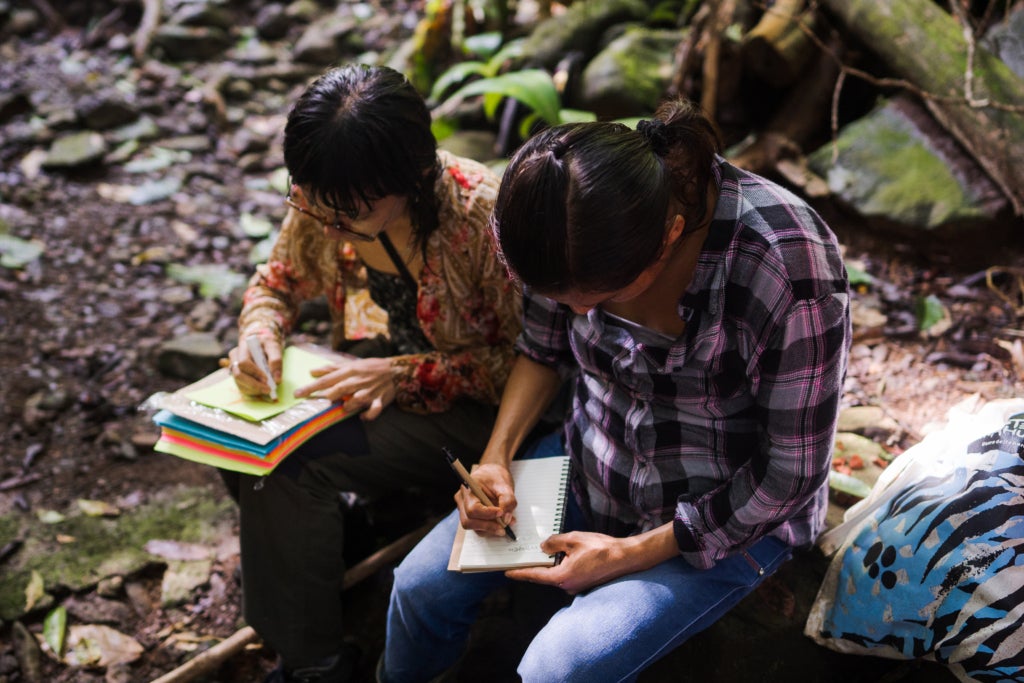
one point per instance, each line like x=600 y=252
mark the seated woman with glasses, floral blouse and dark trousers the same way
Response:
x=372 y=204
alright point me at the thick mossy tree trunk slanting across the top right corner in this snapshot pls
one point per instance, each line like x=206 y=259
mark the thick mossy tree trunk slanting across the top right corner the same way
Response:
x=926 y=47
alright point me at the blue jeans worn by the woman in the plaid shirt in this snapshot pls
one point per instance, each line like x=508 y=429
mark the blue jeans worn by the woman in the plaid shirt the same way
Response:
x=611 y=633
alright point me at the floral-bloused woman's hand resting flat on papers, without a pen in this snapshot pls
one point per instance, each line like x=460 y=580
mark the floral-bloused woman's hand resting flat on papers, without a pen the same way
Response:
x=364 y=385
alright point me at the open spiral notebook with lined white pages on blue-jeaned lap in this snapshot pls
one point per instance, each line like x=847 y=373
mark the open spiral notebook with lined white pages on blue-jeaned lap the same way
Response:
x=541 y=488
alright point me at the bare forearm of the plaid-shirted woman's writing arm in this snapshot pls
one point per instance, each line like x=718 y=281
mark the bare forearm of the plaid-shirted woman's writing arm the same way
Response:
x=531 y=389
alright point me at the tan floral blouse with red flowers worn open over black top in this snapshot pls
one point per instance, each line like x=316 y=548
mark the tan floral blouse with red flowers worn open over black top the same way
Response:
x=467 y=308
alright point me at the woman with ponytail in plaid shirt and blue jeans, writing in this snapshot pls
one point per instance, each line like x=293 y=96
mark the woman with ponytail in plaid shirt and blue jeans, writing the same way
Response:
x=704 y=314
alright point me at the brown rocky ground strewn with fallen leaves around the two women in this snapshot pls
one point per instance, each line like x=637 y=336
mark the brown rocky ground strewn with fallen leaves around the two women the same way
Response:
x=167 y=170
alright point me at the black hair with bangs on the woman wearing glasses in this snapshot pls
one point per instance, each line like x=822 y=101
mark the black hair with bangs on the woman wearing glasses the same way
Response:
x=359 y=134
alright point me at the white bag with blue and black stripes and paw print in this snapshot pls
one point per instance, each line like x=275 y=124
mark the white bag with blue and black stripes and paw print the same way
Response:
x=931 y=565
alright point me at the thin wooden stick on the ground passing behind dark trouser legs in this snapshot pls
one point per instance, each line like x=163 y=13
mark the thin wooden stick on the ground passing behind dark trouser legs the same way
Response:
x=212 y=659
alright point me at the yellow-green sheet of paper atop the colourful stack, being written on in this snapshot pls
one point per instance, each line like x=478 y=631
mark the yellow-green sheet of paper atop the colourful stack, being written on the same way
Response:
x=225 y=395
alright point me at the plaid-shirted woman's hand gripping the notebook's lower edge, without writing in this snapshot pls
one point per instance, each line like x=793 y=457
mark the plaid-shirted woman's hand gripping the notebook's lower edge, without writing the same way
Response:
x=590 y=560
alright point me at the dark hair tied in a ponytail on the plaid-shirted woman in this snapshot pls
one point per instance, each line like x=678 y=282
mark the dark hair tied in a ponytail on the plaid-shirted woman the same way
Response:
x=584 y=206
